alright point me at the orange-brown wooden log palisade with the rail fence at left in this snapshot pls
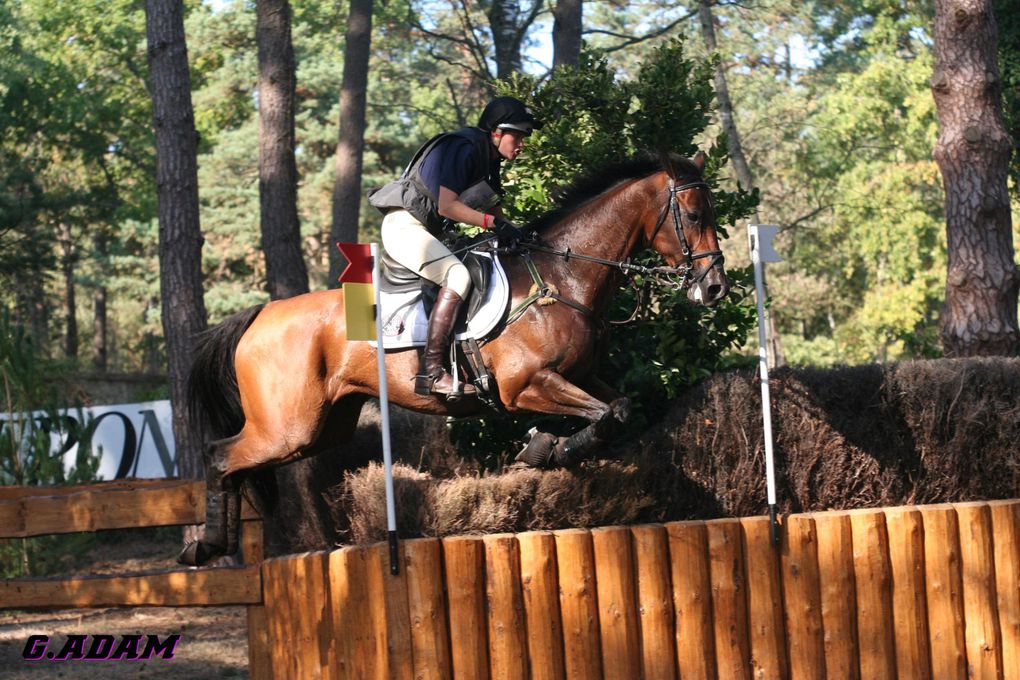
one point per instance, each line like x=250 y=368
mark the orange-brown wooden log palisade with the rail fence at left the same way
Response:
x=928 y=592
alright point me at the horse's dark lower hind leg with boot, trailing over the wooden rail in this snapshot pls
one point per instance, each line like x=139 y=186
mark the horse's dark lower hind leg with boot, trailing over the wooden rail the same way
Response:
x=223 y=511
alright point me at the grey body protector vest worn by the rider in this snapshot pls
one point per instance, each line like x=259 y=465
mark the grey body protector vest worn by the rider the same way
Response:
x=410 y=193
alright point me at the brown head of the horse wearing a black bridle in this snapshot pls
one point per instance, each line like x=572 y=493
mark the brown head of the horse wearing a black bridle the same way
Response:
x=684 y=232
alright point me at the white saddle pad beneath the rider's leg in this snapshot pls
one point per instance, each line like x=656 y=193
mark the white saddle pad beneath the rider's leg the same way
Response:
x=405 y=324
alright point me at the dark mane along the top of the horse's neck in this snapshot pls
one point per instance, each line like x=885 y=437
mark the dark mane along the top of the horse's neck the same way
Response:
x=570 y=197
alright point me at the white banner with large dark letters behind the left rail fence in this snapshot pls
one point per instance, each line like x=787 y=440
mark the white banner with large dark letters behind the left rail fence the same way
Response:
x=132 y=440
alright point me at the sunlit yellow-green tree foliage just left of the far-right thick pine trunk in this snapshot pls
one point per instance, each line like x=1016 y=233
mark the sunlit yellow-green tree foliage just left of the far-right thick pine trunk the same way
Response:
x=881 y=252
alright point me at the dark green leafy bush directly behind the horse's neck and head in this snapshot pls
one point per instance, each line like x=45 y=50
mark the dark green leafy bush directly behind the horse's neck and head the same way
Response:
x=594 y=119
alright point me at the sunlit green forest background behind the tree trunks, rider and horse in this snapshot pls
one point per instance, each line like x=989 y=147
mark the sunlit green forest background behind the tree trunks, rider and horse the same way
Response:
x=832 y=99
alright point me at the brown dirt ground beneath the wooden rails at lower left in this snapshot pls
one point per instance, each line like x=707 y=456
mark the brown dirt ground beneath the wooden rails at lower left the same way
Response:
x=214 y=643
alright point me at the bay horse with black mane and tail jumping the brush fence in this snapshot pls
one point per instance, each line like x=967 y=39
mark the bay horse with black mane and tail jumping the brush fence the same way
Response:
x=281 y=382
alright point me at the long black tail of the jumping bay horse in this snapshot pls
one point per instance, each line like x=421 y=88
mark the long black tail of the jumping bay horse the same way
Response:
x=214 y=399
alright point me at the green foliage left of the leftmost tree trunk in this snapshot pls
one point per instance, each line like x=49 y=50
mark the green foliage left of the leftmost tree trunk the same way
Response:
x=75 y=147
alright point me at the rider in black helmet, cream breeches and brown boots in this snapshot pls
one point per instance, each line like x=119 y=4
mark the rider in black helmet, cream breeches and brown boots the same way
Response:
x=454 y=178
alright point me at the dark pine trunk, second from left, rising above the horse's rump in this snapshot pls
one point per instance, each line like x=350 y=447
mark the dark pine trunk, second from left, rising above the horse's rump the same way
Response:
x=278 y=172
